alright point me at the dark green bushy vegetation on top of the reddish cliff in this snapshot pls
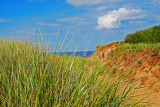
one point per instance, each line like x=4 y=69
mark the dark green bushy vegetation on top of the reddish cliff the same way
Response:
x=150 y=35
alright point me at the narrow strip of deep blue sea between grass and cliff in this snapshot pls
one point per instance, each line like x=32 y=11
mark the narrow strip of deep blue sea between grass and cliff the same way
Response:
x=84 y=54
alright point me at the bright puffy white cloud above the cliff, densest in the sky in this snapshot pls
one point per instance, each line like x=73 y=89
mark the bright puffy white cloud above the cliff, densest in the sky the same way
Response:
x=113 y=18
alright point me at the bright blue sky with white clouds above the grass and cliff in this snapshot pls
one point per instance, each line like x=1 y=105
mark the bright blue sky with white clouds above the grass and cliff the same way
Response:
x=77 y=24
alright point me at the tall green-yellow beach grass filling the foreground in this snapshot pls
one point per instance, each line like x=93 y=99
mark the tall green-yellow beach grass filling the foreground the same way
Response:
x=30 y=76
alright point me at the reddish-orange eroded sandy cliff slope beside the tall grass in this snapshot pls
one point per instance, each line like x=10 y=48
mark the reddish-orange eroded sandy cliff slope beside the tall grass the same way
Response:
x=142 y=66
